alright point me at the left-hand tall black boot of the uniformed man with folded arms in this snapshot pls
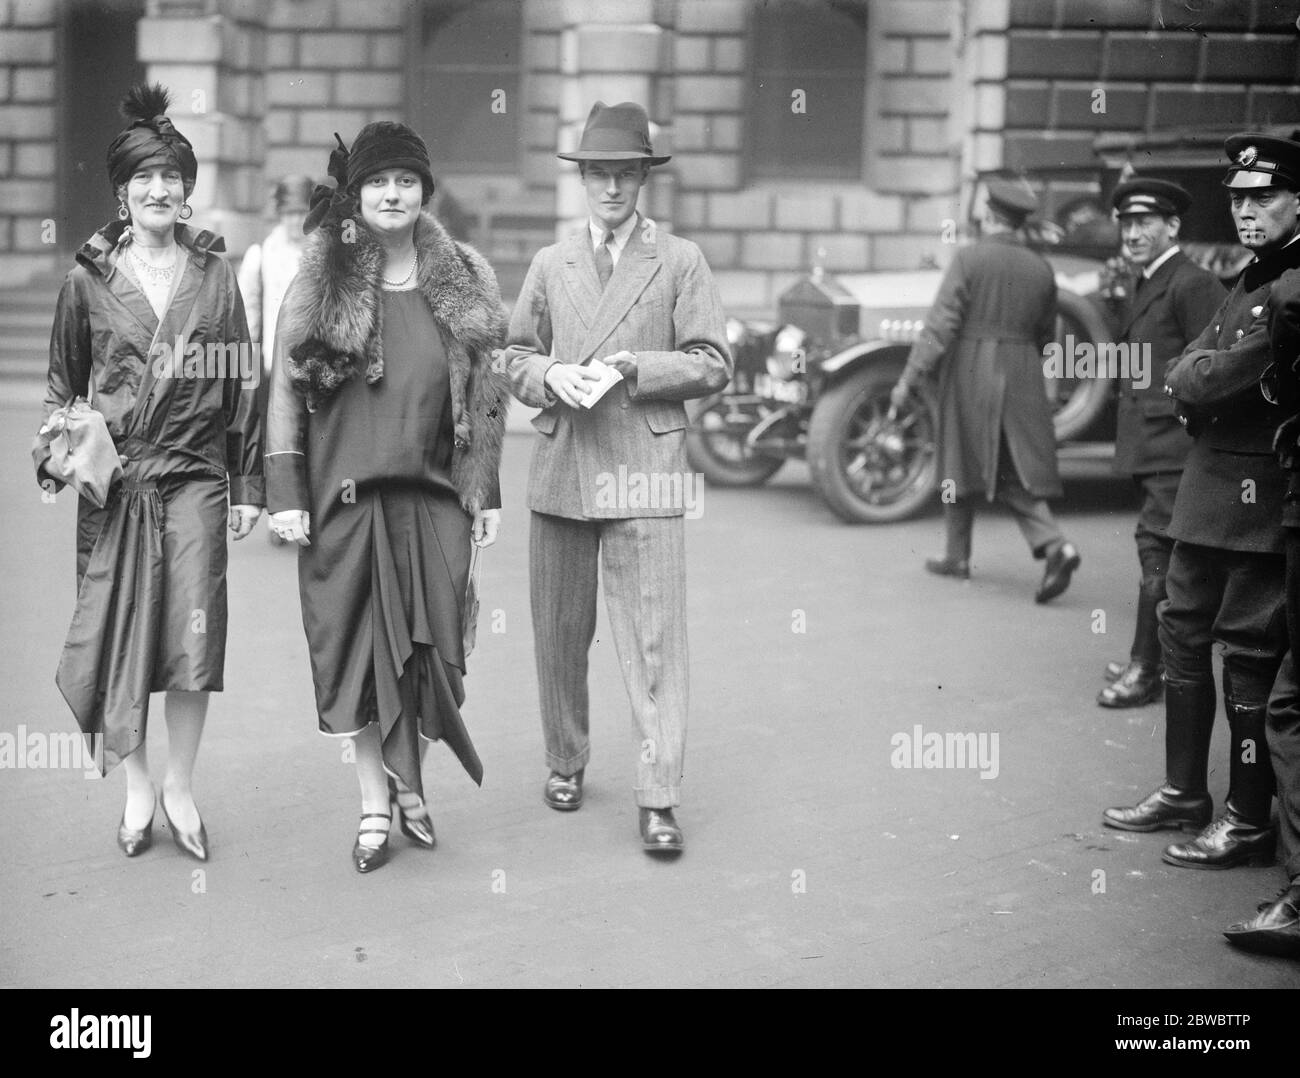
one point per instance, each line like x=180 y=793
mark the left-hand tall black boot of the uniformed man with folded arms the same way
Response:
x=1184 y=803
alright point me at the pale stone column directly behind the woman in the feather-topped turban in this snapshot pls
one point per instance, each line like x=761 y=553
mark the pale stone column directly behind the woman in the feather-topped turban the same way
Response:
x=211 y=57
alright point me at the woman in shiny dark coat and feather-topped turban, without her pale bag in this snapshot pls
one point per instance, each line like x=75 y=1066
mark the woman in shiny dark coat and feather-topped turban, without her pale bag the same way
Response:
x=151 y=328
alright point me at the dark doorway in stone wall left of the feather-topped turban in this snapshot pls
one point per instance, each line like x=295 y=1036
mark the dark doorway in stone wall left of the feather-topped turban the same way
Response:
x=97 y=66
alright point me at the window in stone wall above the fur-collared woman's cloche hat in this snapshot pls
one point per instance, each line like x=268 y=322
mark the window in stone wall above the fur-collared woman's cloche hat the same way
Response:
x=465 y=84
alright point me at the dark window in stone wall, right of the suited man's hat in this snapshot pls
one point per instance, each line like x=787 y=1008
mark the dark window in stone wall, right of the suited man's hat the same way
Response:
x=808 y=89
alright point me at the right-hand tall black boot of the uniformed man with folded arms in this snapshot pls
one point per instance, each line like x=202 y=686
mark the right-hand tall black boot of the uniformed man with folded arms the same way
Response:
x=1243 y=834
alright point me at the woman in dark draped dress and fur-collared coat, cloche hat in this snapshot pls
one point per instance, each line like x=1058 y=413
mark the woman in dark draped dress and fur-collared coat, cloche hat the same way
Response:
x=385 y=434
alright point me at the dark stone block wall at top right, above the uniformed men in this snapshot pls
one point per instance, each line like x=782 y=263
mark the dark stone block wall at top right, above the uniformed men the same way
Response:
x=1068 y=72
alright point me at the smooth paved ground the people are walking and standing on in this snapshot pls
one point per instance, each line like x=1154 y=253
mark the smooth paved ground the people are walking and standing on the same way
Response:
x=812 y=860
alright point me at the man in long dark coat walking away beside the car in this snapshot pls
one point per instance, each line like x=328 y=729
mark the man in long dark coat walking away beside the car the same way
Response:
x=985 y=335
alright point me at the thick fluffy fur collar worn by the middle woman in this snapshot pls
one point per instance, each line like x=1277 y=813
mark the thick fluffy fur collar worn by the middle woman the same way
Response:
x=332 y=326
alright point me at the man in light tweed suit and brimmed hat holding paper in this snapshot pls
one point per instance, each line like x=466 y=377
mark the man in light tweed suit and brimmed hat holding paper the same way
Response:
x=608 y=482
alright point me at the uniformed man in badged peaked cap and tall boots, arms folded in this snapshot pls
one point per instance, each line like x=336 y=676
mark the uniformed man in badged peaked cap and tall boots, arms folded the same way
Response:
x=1227 y=575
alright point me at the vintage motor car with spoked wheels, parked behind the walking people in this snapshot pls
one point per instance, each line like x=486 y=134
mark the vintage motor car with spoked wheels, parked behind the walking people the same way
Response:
x=814 y=383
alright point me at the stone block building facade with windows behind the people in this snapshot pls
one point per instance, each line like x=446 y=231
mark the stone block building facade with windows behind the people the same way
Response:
x=839 y=132
